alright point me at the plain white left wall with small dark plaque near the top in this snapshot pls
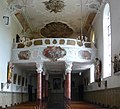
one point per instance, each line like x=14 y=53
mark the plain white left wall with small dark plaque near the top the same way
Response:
x=7 y=33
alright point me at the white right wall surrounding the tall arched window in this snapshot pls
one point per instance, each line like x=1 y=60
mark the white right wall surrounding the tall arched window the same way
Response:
x=113 y=81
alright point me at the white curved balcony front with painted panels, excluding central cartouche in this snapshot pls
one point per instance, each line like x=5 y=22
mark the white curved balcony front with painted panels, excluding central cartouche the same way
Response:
x=76 y=51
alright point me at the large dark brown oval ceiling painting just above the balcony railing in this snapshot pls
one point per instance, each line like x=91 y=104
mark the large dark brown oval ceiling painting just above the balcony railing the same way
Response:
x=56 y=30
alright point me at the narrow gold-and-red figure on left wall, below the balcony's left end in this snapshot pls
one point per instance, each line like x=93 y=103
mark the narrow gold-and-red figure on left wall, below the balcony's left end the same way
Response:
x=9 y=72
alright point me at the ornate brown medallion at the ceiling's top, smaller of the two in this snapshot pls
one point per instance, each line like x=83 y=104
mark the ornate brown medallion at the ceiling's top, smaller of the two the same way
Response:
x=54 y=5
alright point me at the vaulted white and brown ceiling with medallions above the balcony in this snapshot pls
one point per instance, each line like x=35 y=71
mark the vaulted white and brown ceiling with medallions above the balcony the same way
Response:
x=55 y=18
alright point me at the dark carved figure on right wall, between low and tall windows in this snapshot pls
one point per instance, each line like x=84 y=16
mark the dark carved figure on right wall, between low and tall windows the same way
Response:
x=97 y=70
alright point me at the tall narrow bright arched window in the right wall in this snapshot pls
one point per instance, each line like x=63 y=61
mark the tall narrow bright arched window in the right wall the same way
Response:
x=106 y=41
